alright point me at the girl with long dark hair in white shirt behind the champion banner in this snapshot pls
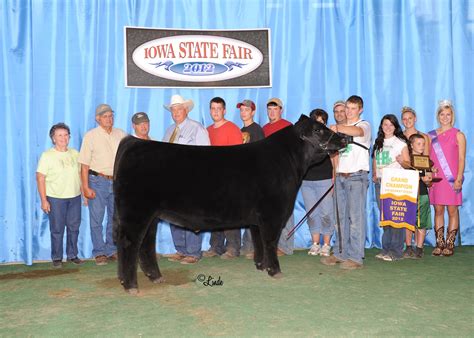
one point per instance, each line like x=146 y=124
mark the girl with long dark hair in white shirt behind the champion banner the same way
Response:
x=390 y=150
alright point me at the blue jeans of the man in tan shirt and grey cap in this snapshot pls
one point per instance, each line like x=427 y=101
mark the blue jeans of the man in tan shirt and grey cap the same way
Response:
x=104 y=199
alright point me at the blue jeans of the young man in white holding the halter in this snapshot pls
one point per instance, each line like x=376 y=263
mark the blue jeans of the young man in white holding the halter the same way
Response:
x=351 y=194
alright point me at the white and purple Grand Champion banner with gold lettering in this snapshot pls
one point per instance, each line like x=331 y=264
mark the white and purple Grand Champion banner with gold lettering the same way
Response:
x=398 y=198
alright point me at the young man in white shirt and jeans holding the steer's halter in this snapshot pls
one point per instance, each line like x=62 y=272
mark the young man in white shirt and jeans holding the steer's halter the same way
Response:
x=351 y=188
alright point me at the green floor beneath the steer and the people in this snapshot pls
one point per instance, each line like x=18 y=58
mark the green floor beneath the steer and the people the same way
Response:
x=430 y=297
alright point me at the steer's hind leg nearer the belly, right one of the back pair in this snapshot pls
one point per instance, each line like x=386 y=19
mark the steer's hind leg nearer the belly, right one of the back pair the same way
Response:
x=147 y=254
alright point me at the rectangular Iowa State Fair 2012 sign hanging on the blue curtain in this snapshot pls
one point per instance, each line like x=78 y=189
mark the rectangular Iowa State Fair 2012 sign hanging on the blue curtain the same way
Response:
x=197 y=58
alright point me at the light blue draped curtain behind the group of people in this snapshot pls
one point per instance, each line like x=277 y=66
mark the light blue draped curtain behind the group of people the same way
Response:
x=59 y=59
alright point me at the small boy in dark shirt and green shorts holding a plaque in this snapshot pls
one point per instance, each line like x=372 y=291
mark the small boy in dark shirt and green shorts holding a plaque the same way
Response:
x=418 y=144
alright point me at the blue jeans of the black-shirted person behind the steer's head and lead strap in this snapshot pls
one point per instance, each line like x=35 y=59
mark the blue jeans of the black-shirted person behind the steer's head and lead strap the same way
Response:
x=321 y=220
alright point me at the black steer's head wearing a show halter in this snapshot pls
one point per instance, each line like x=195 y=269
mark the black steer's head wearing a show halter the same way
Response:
x=320 y=138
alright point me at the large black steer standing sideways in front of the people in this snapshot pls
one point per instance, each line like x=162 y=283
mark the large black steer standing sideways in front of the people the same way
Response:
x=207 y=188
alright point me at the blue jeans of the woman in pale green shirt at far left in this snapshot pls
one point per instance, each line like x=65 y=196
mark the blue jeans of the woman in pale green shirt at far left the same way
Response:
x=65 y=212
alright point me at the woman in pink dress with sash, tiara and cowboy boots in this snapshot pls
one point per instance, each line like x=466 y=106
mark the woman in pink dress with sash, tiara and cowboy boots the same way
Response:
x=448 y=152
